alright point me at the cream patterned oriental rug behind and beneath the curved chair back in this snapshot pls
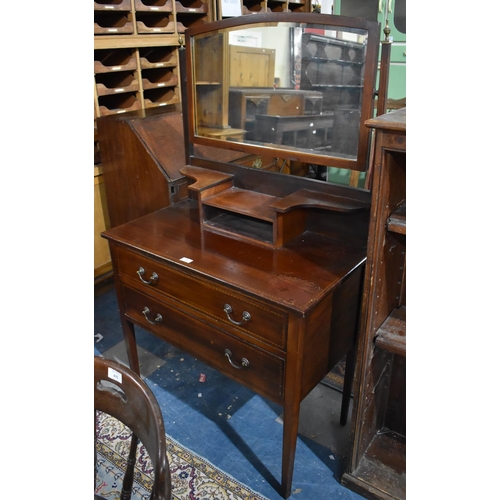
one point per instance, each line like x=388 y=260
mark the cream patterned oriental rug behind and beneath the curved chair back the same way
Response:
x=192 y=476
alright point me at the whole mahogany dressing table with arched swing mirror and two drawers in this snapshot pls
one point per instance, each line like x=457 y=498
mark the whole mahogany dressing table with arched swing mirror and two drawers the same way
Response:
x=254 y=272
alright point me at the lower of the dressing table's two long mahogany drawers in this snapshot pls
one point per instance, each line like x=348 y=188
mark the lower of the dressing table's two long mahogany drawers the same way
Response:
x=262 y=372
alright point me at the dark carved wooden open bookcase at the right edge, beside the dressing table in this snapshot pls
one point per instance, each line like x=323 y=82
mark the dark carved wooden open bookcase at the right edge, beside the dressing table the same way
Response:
x=378 y=463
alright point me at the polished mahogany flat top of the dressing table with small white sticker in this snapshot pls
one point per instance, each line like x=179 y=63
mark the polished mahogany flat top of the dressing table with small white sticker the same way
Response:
x=295 y=276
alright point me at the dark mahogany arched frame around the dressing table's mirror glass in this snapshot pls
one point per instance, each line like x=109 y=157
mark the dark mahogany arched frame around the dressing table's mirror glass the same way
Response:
x=369 y=92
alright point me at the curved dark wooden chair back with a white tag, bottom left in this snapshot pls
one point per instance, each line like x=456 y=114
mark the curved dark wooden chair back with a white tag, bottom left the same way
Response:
x=125 y=396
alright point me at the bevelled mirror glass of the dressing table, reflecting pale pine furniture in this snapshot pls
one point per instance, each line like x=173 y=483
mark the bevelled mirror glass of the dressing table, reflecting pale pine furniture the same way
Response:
x=293 y=89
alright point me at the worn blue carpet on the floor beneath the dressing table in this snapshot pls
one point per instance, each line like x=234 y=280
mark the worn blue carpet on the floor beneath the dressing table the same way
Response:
x=229 y=425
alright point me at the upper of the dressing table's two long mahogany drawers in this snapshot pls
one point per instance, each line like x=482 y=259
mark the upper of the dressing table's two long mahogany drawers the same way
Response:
x=220 y=303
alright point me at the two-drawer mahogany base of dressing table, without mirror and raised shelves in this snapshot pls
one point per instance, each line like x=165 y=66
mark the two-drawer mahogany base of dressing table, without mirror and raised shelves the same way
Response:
x=274 y=319
